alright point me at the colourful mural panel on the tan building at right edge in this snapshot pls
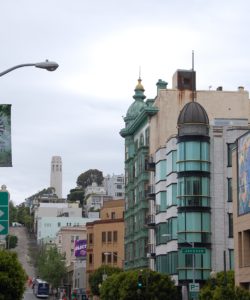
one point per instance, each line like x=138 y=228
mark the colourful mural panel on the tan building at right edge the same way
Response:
x=244 y=174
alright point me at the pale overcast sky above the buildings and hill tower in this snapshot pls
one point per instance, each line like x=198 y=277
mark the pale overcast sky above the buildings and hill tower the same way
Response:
x=76 y=112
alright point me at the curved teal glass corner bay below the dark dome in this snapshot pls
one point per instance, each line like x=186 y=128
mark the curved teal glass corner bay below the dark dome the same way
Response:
x=194 y=218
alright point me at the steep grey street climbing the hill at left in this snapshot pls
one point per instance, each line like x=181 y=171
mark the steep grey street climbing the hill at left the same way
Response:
x=22 y=250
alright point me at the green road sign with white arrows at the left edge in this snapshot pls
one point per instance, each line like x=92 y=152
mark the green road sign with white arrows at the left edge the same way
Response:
x=4 y=212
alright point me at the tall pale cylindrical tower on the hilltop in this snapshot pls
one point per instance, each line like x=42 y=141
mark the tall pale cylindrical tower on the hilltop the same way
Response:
x=56 y=175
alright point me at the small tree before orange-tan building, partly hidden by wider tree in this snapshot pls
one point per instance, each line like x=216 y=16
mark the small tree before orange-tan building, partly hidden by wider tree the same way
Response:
x=96 y=278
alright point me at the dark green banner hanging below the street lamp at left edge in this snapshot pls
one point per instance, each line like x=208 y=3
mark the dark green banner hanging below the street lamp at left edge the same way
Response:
x=5 y=136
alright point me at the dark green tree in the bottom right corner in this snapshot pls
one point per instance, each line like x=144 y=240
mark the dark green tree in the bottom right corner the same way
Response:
x=221 y=287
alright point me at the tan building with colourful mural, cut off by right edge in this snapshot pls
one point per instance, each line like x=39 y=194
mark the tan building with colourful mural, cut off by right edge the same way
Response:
x=241 y=206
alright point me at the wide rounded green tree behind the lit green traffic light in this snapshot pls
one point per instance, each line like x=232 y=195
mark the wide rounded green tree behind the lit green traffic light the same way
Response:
x=124 y=286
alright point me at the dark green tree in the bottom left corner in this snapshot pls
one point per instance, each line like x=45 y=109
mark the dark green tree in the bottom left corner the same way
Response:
x=12 y=276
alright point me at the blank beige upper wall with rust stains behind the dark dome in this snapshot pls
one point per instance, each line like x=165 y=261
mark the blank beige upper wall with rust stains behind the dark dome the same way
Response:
x=217 y=103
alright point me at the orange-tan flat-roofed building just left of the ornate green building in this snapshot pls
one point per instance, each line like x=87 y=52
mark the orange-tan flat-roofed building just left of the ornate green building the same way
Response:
x=105 y=237
